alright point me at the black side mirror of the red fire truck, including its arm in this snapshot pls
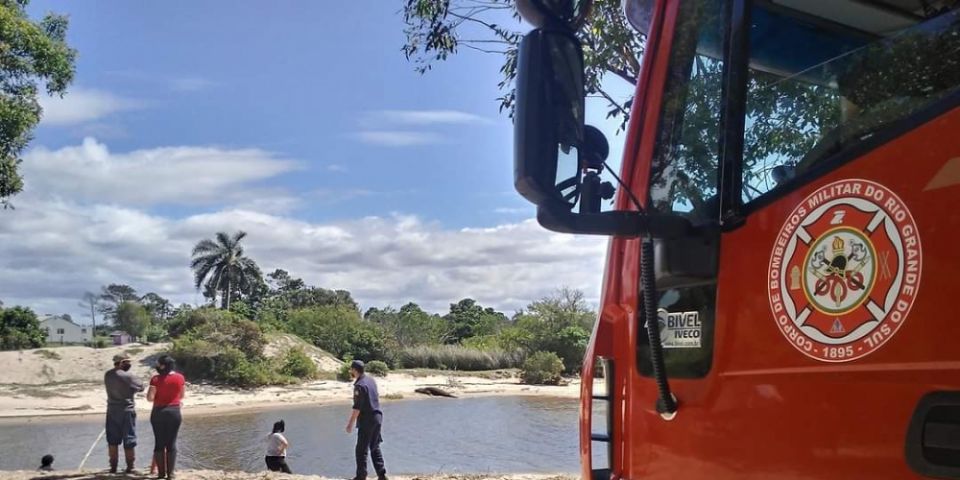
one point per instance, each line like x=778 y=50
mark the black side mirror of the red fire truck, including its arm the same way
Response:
x=556 y=157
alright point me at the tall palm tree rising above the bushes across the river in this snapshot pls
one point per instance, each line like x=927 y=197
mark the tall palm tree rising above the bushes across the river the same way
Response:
x=221 y=264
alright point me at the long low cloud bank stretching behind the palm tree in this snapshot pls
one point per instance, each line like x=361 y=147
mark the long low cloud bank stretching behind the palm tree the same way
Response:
x=56 y=250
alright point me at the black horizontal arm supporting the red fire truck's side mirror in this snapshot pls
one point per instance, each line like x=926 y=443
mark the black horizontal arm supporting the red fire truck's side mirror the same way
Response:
x=618 y=223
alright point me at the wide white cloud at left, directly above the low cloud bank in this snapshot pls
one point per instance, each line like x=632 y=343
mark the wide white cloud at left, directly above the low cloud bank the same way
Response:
x=170 y=175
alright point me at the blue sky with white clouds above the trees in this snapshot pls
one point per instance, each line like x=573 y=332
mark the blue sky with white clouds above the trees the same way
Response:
x=300 y=122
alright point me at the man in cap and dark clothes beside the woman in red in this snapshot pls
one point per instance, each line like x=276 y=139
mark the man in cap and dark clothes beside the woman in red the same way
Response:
x=121 y=425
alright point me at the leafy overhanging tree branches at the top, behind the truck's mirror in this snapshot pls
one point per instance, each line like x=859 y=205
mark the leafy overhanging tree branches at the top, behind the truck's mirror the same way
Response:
x=436 y=29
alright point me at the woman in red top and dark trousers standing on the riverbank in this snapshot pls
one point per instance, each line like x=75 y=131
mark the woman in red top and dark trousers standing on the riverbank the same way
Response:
x=166 y=391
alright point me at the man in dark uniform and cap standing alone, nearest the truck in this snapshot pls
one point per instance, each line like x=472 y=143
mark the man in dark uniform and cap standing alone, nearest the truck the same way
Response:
x=368 y=417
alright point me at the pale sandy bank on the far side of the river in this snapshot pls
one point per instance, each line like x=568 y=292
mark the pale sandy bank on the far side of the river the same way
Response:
x=68 y=381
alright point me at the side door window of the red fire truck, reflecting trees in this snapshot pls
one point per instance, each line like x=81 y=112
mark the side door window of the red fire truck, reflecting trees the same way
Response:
x=817 y=88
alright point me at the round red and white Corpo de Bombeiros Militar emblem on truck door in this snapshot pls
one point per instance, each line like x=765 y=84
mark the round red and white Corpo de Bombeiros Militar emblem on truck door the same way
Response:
x=844 y=270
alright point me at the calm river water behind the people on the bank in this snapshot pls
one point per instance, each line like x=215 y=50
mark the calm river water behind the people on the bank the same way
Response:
x=475 y=435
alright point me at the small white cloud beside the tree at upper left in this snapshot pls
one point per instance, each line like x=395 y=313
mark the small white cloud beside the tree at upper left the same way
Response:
x=81 y=105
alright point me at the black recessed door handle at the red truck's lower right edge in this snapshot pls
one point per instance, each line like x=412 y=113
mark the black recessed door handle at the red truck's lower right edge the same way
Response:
x=933 y=437
